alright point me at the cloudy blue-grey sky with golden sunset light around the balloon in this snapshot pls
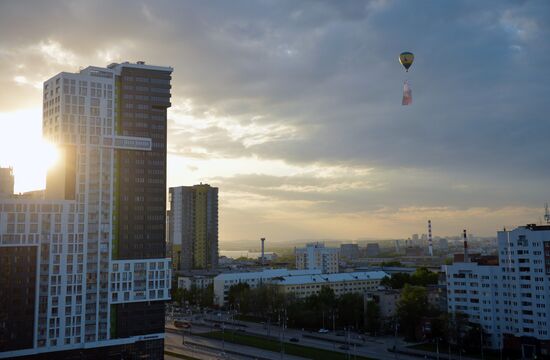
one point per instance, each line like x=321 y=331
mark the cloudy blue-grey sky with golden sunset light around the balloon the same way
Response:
x=293 y=108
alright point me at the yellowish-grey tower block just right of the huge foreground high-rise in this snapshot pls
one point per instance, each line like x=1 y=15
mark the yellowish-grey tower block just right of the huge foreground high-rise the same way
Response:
x=194 y=226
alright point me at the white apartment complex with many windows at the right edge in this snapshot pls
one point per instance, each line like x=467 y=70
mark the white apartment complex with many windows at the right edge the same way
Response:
x=510 y=300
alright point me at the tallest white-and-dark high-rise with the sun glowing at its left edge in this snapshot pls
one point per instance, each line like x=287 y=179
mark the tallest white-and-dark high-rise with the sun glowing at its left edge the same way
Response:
x=85 y=268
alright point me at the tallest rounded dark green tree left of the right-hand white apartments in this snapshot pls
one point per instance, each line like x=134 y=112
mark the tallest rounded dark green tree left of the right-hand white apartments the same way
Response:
x=411 y=309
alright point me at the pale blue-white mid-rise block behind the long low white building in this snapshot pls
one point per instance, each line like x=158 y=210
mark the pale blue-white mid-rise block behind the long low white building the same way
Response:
x=315 y=256
